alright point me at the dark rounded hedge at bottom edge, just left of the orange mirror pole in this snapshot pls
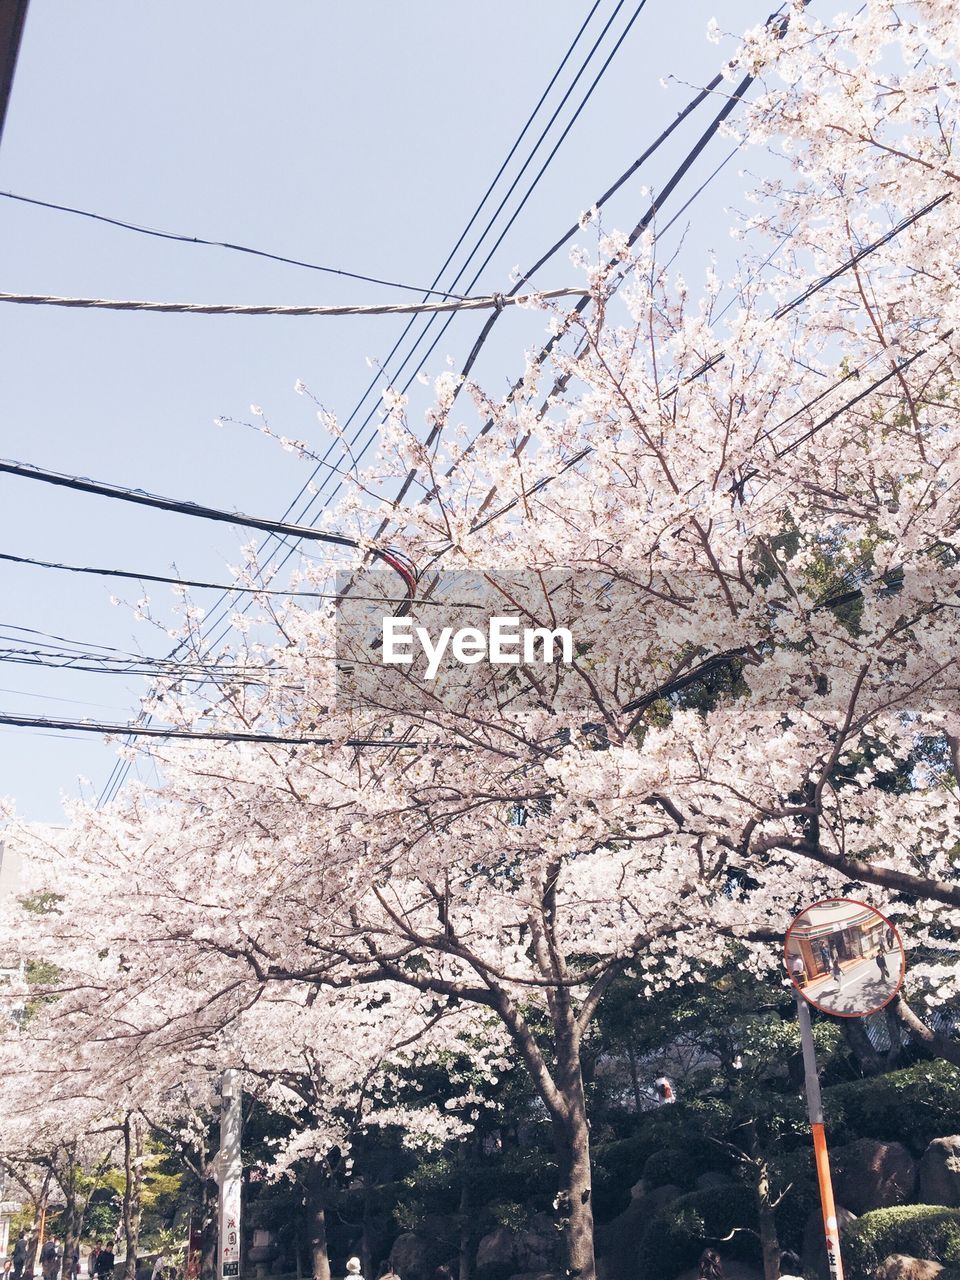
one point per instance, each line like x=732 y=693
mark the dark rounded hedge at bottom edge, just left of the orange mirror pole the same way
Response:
x=676 y=1237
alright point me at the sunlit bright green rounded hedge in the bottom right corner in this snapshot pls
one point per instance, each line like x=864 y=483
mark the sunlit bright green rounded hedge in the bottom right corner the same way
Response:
x=918 y=1231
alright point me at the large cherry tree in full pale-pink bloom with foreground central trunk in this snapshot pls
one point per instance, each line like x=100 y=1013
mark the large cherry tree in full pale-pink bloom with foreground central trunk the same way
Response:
x=744 y=504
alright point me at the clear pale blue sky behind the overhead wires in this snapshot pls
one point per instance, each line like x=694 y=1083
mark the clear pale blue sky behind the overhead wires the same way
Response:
x=356 y=135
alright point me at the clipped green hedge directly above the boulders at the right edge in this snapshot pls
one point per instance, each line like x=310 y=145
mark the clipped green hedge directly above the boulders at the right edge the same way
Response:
x=913 y=1107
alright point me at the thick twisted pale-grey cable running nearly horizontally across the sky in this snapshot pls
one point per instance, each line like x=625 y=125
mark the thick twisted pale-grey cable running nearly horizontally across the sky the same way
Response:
x=495 y=301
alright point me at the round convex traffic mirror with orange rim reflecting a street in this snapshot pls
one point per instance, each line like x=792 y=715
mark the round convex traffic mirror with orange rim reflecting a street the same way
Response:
x=845 y=958
